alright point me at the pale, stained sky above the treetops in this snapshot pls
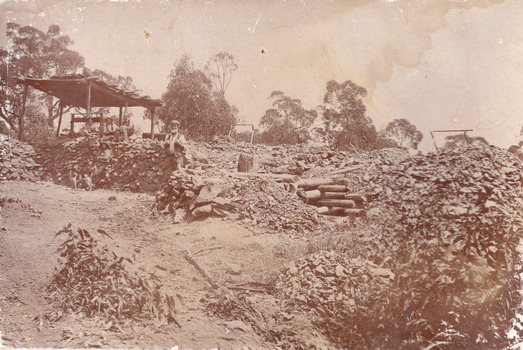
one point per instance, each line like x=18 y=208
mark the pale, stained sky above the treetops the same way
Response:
x=441 y=64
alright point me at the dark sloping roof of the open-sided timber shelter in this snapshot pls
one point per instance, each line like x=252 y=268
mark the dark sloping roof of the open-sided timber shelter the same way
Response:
x=73 y=90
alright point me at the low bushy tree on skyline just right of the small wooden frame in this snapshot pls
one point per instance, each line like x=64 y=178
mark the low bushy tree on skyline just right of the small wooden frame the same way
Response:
x=288 y=122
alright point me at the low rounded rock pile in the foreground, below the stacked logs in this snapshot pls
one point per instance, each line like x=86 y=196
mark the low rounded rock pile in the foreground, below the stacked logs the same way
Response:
x=332 y=285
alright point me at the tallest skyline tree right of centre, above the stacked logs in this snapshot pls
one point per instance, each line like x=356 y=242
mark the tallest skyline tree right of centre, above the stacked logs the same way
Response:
x=344 y=117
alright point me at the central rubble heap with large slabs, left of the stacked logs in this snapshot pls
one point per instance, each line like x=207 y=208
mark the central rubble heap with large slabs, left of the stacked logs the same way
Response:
x=192 y=195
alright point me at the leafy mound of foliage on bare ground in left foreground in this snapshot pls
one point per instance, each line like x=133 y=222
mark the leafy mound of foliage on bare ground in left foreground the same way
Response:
x=94 y=281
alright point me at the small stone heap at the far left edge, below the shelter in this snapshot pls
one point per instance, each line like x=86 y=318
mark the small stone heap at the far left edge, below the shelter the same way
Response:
x=18 y=160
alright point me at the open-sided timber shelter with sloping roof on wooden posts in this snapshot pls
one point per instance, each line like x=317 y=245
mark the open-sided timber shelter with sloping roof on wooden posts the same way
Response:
x=90 y=91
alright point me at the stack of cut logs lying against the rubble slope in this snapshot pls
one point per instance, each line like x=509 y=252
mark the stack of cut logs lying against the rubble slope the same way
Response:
x=331 y=198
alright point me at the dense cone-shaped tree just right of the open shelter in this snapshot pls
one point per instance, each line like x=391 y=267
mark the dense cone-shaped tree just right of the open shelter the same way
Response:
x=190 y=100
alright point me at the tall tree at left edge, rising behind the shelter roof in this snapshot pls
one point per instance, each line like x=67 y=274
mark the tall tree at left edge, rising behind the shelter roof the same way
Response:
x=32 y=53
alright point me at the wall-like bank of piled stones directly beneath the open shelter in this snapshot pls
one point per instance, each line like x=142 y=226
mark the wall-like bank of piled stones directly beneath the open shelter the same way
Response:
x=139 y=166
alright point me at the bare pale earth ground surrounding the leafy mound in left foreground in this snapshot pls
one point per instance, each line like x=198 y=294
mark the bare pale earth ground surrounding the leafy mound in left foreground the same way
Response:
x=28 y=258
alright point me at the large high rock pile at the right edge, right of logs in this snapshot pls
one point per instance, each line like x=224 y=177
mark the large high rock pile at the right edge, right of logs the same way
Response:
x=457 y=186
